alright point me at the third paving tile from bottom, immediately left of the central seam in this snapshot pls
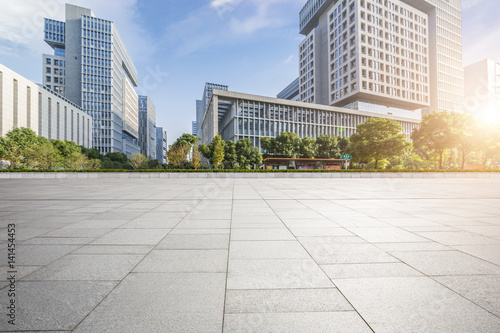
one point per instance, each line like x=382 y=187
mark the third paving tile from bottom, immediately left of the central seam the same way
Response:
x=194 y=242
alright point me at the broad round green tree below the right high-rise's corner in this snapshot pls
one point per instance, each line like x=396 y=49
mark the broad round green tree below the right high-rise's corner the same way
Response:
x=379 y=139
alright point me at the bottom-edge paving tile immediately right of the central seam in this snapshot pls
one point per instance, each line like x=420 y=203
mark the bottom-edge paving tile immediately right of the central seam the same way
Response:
x=327 y=322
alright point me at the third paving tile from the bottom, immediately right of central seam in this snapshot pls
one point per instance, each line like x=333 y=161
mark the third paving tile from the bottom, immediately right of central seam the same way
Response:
x=276 y=274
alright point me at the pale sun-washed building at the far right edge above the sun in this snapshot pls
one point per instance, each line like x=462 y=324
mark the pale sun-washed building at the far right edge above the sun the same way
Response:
x=482 y=90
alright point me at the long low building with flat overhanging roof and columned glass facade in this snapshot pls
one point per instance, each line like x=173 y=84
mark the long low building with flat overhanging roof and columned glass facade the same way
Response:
x=236 y=116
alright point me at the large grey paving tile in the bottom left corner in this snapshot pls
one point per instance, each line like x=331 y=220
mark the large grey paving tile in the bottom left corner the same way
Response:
x=54 y=305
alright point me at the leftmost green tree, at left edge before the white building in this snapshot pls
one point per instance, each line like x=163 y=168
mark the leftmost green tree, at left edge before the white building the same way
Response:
x=16 y=144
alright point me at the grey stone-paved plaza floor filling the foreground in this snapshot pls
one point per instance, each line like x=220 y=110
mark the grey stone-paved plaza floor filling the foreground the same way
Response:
x=251 y=255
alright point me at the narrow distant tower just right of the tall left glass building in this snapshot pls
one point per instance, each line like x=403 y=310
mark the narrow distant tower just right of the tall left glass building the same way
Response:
x=147 y=127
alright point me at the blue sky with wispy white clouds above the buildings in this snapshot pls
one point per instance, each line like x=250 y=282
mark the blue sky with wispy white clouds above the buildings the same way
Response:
x=178 y=45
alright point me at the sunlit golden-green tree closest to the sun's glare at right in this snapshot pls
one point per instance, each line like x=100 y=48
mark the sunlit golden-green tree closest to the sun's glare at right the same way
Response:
x=436 y=134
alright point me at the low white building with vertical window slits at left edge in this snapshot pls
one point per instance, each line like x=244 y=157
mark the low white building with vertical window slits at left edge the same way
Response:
x=26 y=104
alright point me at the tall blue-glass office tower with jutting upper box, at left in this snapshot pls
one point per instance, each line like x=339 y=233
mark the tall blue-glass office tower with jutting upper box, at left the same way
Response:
x=92 y=68
